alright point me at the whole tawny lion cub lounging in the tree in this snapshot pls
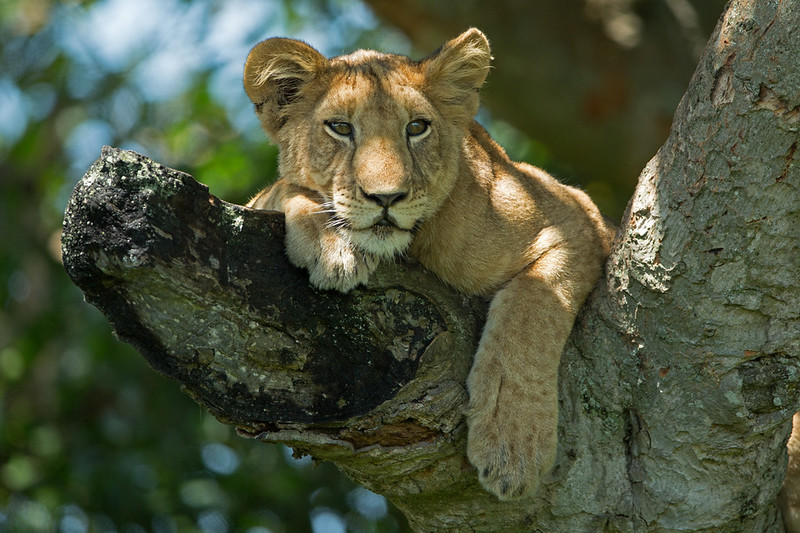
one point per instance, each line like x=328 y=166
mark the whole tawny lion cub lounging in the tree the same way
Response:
x=380 y=156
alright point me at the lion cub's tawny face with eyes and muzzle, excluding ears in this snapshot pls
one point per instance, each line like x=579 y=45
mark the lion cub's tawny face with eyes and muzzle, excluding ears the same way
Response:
x=375 y=143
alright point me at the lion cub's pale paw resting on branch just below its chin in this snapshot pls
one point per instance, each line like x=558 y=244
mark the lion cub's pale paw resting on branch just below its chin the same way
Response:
x=340 y=266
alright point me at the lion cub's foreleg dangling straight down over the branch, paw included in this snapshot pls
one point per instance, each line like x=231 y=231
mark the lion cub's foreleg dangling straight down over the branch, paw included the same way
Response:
x=513 y=414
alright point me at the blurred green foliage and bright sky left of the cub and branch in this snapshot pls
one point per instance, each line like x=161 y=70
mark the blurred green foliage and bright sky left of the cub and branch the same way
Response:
x=91 y=439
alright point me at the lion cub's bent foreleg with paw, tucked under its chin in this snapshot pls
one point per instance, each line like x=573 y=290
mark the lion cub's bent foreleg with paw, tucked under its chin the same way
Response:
x=312 y=242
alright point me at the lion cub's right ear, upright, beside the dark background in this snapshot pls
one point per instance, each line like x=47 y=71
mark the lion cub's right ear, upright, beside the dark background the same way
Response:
x=456 y=71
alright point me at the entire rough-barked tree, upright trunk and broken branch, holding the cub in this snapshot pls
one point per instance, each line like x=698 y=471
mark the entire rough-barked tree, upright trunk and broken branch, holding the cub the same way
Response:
x=678 y=383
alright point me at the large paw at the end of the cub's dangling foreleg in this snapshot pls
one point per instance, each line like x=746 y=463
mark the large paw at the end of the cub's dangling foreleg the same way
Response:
x=511 y=441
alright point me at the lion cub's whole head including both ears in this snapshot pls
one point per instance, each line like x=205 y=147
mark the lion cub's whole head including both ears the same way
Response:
x=378 y=136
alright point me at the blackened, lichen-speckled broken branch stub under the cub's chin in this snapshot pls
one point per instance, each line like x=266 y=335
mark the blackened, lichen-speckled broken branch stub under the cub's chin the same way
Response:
x=197 y=283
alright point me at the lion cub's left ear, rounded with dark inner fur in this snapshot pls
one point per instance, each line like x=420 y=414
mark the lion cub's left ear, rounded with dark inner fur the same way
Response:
x=274 y=75
